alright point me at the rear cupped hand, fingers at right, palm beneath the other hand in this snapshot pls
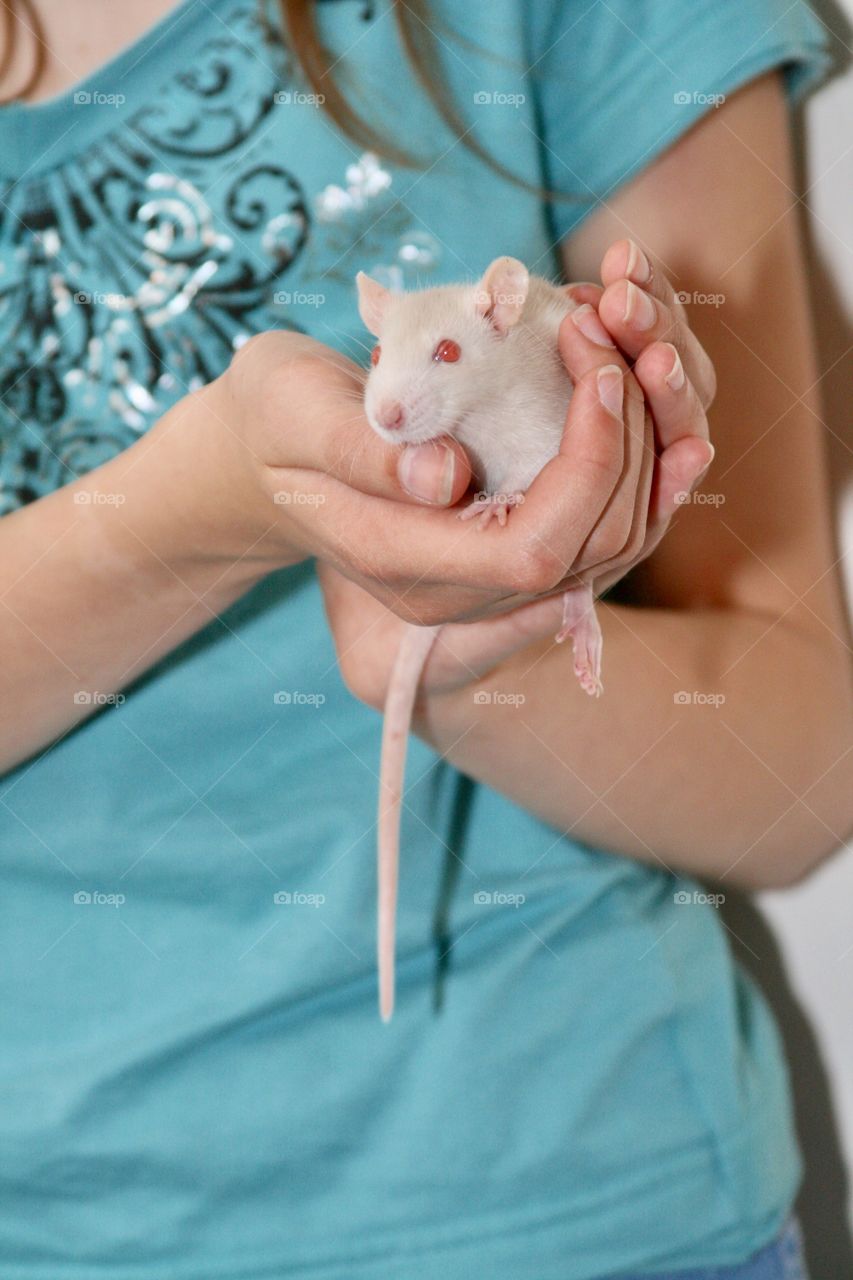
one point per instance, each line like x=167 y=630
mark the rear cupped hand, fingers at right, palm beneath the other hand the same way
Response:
x=678 y=385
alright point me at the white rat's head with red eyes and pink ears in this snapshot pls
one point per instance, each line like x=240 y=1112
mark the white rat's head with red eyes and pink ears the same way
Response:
x=436 y=354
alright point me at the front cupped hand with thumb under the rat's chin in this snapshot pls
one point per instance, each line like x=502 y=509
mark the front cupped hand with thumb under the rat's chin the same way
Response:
x=289 y=423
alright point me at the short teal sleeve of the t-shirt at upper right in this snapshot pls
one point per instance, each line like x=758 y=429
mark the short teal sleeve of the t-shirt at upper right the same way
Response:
x=619 y=81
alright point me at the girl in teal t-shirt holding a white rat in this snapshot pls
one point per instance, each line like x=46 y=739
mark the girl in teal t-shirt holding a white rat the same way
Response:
x=578 y=1081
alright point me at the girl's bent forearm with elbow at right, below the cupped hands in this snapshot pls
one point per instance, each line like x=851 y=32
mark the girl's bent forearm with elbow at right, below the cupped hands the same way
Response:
x=750 y=780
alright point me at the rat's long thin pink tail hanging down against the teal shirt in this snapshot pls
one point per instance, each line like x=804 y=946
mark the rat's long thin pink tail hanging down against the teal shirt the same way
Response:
x=403 y=691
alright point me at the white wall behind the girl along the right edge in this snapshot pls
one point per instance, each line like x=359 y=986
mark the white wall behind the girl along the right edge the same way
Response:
x=813 y=925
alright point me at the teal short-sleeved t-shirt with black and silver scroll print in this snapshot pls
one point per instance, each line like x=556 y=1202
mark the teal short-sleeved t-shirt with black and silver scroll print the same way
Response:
x=195 y=1082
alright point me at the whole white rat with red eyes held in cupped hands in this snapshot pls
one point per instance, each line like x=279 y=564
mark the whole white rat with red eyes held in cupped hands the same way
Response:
x=478 y=363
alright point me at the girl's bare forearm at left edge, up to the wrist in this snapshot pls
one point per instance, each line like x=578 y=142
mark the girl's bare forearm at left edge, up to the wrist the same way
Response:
x=104 y=577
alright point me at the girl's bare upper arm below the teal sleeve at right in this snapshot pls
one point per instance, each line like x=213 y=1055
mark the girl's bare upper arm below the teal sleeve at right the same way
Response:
x=720 y=216
